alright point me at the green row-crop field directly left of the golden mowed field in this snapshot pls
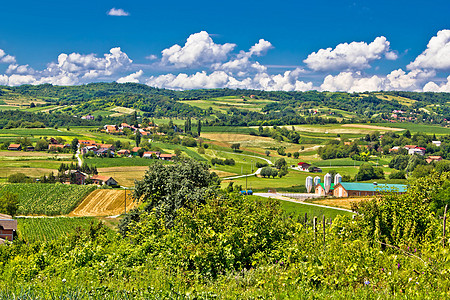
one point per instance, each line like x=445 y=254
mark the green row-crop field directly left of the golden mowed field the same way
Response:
x=47 y=199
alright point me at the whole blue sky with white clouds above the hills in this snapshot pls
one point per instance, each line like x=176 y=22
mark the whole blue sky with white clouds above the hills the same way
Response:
x=297 y=45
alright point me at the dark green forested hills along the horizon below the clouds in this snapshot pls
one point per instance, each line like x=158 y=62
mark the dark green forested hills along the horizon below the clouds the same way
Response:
x=287 y=108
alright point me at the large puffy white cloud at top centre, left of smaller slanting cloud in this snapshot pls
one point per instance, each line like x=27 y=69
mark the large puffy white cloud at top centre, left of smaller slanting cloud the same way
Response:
x=199 y=50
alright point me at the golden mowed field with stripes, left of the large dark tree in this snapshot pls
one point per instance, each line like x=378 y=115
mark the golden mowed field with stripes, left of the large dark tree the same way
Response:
x=104 y=203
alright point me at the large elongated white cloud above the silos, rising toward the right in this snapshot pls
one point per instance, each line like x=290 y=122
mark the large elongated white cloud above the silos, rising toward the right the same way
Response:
x=353 y=56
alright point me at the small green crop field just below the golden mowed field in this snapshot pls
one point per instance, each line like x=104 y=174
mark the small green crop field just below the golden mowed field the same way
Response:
x=46 y=229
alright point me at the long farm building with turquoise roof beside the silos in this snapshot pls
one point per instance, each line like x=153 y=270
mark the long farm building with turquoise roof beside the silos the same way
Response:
x=349 y=189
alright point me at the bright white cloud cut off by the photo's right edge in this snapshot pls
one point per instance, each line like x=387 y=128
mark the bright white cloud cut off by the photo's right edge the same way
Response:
x=437 y=54
